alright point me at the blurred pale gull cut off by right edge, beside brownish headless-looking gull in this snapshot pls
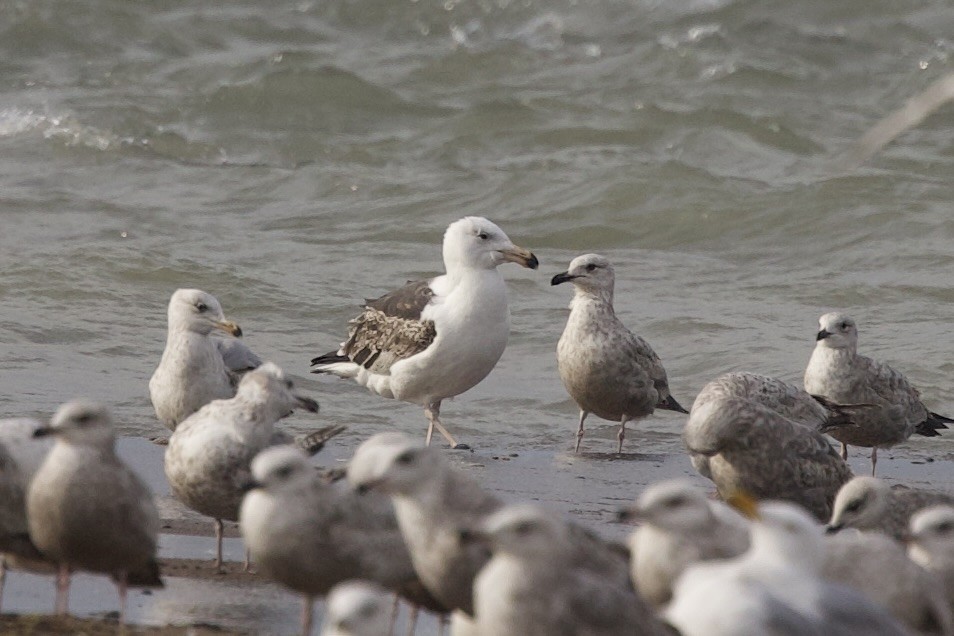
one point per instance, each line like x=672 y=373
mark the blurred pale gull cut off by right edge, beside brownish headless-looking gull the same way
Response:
x=931 y=544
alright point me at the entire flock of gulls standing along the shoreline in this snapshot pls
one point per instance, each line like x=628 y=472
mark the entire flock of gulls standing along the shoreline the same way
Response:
x=794 y=544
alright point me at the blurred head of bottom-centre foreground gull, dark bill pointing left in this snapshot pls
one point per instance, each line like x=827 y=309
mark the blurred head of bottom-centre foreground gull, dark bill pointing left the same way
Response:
x=521 y=530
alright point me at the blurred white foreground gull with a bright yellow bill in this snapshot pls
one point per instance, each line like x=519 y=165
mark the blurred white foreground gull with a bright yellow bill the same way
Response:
x=774 y=588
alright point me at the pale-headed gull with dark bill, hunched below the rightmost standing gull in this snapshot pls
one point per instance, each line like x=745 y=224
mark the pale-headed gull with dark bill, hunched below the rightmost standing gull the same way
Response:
x=868 y=503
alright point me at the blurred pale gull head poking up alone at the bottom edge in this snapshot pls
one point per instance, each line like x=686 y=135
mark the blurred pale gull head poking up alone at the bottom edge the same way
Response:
x=357 y=608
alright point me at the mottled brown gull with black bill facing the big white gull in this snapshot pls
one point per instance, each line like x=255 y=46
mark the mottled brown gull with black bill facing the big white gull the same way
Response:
x=607 y=369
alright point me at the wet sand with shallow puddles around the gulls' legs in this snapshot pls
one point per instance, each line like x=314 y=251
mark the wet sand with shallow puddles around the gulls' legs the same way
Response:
x=589 y=487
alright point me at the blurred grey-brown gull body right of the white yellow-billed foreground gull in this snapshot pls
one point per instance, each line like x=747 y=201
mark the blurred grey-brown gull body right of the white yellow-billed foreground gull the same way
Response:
x=878 y=567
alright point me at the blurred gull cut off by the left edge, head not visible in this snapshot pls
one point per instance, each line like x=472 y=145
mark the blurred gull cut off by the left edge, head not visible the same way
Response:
x=21 y=454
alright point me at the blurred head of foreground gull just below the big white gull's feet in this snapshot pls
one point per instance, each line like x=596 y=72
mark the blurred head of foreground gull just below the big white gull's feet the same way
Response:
x=393 y=464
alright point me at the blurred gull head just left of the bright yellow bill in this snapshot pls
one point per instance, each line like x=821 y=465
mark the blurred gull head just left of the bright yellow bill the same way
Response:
x=674 y=506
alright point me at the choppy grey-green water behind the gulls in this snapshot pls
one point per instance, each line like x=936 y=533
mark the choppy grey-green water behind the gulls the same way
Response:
x=295 y=157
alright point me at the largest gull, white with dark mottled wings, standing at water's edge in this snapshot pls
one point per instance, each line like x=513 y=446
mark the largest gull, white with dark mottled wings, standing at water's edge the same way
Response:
x=434 y=339
